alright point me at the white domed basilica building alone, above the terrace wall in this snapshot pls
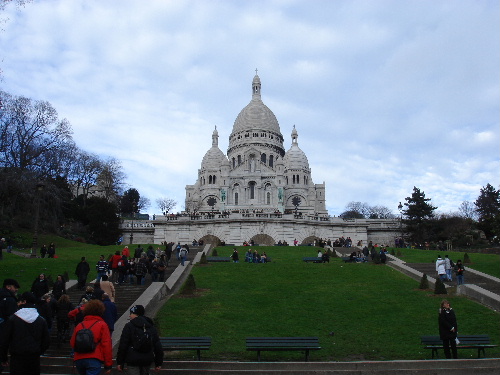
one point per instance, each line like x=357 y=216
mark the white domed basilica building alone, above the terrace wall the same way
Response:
x=257 y=175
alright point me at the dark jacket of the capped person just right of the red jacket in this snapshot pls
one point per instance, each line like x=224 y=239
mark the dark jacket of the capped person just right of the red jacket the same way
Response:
x=126 y=352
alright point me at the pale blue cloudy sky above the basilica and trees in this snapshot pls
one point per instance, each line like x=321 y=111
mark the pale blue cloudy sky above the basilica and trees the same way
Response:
x=385 y=95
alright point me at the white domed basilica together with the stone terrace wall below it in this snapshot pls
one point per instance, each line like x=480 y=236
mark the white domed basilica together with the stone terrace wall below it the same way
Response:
x=257 y=192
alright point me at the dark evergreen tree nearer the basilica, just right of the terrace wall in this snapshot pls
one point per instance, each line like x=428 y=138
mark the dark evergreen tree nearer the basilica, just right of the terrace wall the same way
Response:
x=418 y=215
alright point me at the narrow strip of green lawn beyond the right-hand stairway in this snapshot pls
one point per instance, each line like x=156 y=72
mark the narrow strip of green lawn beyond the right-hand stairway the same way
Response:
x=488 y=263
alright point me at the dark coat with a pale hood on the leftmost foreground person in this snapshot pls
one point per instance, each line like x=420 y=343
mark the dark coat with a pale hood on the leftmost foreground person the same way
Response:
x=25 y=333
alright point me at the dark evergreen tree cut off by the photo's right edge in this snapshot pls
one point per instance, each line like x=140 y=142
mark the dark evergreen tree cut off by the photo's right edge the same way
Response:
x=488 y=210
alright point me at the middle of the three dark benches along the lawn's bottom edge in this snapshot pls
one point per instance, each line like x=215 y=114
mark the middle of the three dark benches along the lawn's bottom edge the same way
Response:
x=282 y=344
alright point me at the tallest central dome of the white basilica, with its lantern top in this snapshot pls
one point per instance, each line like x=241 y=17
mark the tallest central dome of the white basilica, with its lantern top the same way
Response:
x=256 y=115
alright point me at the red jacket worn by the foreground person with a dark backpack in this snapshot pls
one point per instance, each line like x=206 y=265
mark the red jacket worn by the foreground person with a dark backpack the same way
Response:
x=102 y=337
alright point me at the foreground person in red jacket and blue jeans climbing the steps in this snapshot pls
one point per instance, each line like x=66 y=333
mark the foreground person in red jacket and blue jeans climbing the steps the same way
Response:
x=90 y=363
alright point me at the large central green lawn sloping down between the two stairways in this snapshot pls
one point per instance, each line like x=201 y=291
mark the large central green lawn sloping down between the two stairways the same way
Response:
x=376 y=313
